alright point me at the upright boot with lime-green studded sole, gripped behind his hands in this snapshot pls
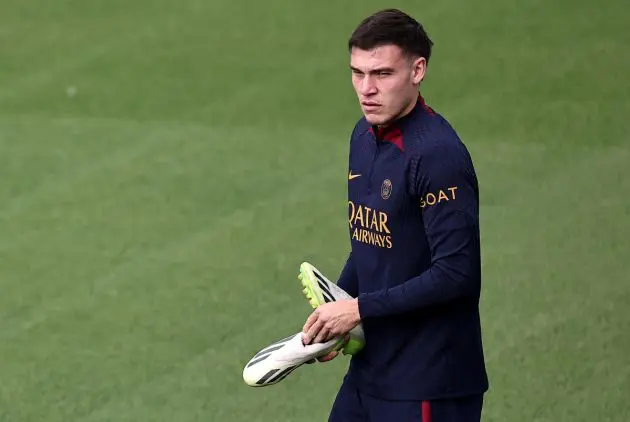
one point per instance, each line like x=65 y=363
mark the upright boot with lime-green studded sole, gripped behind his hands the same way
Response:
x=319 y=290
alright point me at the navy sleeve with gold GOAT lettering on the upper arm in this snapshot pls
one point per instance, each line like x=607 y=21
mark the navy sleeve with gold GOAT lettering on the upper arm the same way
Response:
x=446 y=186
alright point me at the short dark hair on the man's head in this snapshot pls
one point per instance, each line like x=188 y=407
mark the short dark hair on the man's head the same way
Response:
x=392 y=26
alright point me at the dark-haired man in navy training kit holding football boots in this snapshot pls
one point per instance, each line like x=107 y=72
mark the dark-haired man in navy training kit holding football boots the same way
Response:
x=414 y=270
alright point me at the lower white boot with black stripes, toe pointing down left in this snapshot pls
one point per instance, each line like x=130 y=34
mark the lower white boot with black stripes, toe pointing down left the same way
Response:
x=276 y=361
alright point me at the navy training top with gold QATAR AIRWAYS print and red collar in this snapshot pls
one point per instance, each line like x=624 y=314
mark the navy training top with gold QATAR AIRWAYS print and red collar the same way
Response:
x=415 y=263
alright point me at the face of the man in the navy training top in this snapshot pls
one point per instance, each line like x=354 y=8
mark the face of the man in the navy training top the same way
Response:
x=386 y=82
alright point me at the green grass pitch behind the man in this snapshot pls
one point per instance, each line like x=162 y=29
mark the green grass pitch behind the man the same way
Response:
x=153 y=223
